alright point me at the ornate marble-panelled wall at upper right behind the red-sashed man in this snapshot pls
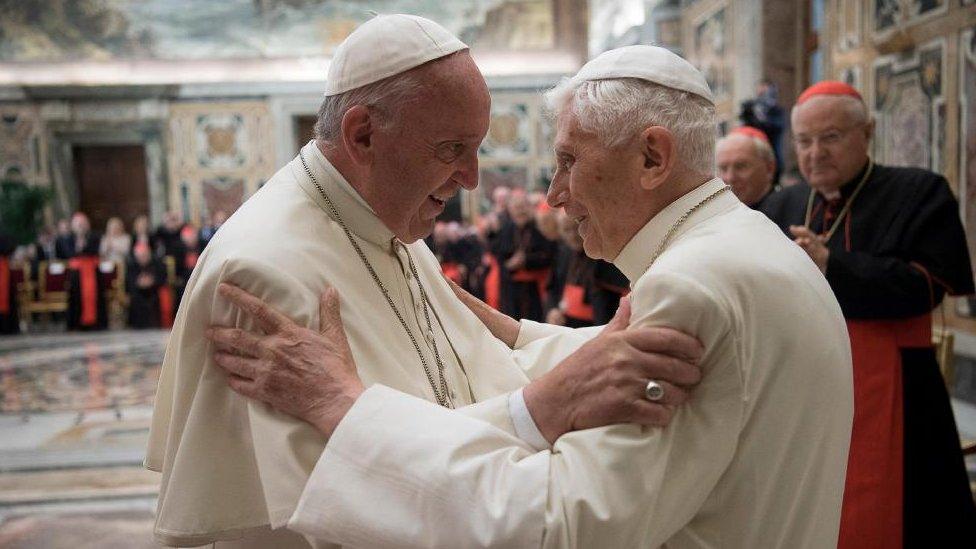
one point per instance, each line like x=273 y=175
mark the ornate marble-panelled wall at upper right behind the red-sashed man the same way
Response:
x=913 y=61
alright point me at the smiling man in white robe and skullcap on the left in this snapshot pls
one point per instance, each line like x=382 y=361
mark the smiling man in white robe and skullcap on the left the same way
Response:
x=398 y=134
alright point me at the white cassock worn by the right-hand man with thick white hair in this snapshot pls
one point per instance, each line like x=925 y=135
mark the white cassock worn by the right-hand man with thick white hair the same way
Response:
x=756 y=458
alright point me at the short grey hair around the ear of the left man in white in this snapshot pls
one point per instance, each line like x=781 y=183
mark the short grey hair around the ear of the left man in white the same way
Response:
x=385 y=99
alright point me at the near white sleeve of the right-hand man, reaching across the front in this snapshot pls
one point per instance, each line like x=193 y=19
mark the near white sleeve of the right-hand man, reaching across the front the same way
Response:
x=402 y=472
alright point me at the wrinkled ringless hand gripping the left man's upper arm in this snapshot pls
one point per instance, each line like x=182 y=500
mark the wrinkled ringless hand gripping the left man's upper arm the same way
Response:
x=307 y=374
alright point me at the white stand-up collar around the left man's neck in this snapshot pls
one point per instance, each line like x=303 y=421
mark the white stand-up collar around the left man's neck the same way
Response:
x=355 y=211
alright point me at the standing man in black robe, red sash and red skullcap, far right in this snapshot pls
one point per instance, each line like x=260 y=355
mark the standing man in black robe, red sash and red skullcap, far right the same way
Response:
x=890 y=243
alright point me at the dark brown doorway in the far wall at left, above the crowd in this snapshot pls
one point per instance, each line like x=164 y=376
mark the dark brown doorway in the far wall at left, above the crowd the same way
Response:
x=111 y=183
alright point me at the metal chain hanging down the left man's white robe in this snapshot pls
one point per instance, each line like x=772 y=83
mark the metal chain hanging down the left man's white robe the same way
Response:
x=441 y=392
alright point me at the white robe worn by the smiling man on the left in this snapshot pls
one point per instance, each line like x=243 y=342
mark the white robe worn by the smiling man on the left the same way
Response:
x=232 y=467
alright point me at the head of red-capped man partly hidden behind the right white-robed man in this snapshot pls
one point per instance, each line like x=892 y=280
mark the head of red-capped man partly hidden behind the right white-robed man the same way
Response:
x=746 y=162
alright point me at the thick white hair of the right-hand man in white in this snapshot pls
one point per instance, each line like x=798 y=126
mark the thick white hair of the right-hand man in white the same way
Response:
x=616 y=110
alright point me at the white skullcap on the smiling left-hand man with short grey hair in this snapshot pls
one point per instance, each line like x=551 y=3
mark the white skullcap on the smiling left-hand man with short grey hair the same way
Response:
x=387 y=45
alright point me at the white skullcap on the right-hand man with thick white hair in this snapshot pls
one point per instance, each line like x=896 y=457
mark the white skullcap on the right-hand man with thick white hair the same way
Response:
x=651 y=63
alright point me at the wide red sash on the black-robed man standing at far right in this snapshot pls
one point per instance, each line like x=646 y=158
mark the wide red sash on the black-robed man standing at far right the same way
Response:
x=872 y=512
